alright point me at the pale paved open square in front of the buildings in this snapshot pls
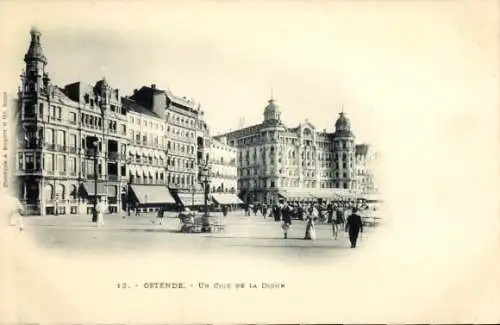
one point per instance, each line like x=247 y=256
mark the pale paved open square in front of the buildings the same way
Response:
x=121 y=233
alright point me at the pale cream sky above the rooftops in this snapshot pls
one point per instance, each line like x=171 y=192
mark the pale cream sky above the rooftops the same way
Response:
x=416 y=78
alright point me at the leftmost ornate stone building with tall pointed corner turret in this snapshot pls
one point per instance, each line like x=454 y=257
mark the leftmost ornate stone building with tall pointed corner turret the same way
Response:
x=61 y=134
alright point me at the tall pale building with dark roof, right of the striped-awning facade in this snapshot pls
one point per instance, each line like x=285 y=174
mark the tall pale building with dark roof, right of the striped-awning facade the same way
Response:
x=185 y=140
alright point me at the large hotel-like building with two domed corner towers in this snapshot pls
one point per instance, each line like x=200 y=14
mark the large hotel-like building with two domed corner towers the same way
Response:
x=274 y=160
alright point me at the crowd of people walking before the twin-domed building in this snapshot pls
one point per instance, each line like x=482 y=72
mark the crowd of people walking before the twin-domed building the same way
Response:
x=331 y=214
